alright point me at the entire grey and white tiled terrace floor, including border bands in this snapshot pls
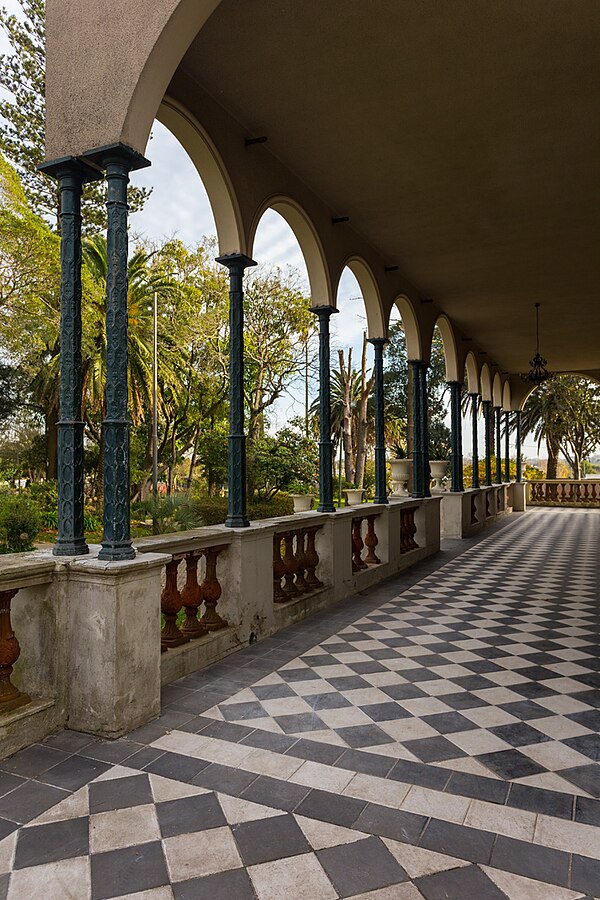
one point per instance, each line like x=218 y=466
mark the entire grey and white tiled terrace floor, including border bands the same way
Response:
x=435 y=737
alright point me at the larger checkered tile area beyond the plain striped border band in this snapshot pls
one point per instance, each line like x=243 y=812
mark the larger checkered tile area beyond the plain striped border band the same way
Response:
x=488 y=666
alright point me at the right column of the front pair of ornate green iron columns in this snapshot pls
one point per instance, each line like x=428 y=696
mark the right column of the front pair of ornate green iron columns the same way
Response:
x=117 y=161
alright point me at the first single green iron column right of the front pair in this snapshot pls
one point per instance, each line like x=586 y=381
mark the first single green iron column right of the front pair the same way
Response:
x=236 y=512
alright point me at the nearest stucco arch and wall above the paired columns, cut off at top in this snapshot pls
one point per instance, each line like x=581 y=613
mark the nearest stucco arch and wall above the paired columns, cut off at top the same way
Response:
x=163 y=35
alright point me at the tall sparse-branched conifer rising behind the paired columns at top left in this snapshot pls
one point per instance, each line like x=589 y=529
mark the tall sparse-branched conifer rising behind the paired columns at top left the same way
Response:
x=22 y=126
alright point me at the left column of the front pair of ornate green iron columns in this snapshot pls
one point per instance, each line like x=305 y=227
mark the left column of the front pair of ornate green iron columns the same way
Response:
x=70 y=541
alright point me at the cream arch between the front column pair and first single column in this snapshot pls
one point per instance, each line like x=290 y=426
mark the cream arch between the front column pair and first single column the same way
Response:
x=211 y=170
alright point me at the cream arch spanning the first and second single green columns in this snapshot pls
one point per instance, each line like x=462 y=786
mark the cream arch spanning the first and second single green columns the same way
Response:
x=309 y=240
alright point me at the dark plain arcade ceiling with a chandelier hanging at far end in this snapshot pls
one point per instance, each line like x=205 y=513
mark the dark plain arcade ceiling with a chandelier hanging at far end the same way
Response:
x=461 y=138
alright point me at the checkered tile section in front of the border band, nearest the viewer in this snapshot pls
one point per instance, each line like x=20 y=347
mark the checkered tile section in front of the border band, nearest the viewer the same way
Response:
x=144 y=836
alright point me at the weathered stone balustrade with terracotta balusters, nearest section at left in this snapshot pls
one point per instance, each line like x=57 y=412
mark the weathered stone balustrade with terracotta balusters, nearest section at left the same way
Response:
x=81 y=640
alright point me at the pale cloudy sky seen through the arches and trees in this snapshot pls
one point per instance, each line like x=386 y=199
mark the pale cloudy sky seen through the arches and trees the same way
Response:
x=179 y=207
